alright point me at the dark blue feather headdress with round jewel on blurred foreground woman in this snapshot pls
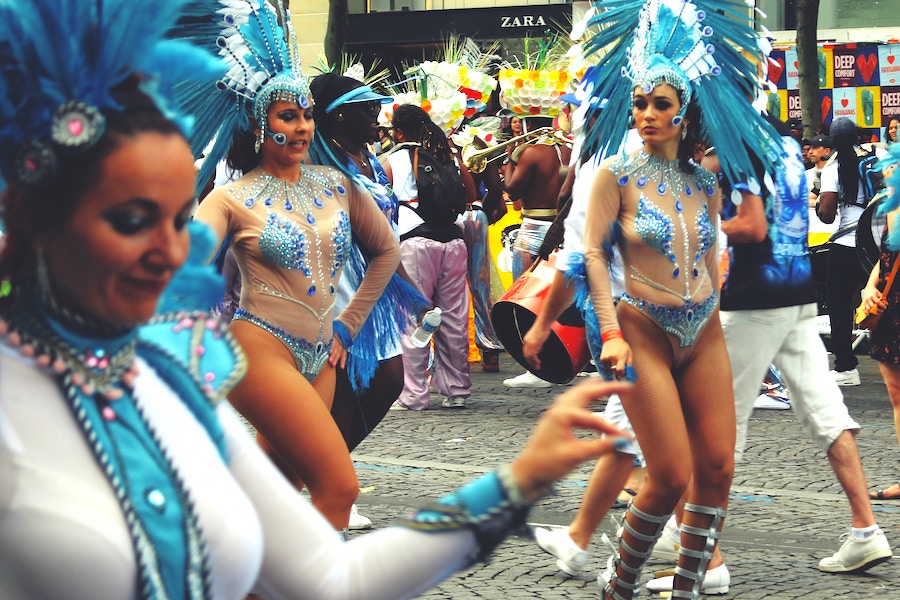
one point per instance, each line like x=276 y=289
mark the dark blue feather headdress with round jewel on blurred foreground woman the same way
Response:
x=60 y=62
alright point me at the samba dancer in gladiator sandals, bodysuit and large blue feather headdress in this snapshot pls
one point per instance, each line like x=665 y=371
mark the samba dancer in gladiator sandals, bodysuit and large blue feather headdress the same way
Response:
x=678 y=71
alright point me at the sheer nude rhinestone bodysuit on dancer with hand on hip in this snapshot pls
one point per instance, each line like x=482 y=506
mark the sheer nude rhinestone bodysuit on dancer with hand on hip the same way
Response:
x=291 y=241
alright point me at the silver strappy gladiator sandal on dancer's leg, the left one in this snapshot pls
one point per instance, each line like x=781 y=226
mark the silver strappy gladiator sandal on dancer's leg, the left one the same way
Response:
x=616 y=567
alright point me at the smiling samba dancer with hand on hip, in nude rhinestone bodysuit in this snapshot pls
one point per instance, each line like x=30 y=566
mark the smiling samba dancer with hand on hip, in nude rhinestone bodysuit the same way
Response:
x=291 y=226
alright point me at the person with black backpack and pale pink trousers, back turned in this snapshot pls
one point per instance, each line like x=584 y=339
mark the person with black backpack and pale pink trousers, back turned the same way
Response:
x=433 y=189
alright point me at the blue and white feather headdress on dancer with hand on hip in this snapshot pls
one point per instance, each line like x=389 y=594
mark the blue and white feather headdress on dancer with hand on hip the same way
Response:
x=259 y=46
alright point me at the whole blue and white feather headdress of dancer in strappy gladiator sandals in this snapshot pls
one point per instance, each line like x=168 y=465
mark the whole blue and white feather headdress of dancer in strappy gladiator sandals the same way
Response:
x=701 y=49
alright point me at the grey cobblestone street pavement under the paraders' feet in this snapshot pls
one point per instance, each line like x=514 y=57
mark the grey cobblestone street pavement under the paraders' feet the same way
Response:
x=787 y=509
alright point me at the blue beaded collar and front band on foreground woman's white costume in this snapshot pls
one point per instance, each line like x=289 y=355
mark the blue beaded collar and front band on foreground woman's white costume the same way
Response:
x=96 y=376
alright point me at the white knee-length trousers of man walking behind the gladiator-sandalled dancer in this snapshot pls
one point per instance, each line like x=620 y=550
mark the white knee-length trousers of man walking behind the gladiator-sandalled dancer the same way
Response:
x=788 y=337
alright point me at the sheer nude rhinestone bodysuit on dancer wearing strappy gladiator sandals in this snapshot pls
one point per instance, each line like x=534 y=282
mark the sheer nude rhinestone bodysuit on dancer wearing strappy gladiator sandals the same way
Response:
x=664 y=221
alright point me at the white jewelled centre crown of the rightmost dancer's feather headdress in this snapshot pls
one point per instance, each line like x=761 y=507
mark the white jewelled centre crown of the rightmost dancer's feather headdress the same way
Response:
x=670 y=46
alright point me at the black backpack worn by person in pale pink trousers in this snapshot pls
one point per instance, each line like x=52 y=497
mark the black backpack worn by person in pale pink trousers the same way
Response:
x=442 y=197
